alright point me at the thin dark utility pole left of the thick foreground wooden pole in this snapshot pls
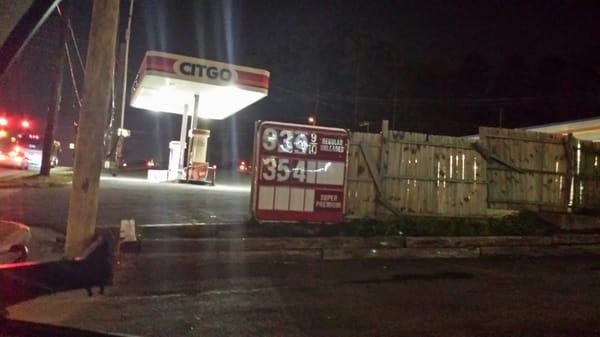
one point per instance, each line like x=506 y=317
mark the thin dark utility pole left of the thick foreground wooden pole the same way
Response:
x=56 y=99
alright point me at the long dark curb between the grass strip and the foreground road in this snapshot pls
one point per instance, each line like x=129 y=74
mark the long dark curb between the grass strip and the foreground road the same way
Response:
x=273 y=250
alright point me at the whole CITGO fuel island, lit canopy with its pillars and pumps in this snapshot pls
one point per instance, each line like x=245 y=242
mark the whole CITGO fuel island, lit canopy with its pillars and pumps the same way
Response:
x=198 y=88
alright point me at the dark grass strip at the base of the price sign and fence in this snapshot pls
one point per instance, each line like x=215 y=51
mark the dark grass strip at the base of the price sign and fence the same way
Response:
x=516 y=223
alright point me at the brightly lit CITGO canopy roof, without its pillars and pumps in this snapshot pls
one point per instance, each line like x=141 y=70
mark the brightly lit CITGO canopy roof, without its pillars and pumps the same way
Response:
x=166 y=82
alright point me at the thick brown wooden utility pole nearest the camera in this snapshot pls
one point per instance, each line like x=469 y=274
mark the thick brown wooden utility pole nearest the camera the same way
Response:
x=99 y=76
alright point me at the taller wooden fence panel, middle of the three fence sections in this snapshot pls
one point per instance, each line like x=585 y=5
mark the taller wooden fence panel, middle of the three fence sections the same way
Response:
x=530 y=169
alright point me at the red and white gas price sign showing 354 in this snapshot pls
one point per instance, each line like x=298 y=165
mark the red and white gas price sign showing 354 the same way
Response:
x=300 y=172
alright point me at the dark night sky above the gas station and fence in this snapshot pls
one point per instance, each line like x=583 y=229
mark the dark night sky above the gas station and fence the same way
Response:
x=310 y=44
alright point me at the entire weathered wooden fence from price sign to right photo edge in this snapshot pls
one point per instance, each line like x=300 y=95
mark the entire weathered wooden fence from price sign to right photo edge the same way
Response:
x=399 y=172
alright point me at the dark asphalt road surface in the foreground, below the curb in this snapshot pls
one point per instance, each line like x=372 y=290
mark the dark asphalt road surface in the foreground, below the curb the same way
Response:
x=179 y=296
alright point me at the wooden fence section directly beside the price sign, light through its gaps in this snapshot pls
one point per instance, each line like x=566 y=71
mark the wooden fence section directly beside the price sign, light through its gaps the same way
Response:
x=401 y=172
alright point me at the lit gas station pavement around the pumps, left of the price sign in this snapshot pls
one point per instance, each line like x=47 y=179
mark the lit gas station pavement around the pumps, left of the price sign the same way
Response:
x=133 y=197
